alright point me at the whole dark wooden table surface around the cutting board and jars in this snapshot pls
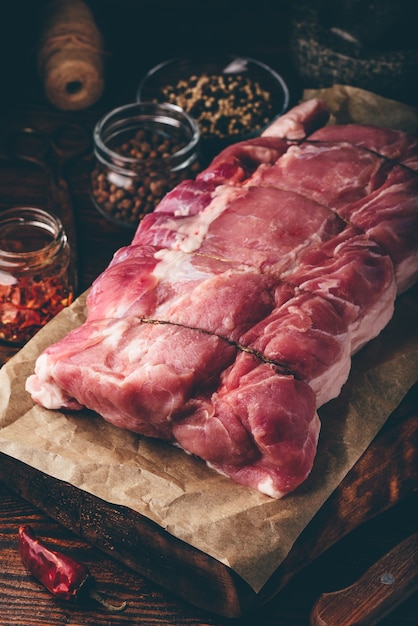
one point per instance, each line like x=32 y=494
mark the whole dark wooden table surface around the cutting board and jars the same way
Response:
x=22 y=600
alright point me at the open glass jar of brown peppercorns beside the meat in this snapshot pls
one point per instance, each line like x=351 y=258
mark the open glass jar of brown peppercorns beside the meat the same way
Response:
x=142 y=151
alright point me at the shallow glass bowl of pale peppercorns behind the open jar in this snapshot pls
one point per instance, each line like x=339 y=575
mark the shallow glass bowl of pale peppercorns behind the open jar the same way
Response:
x=232 y=98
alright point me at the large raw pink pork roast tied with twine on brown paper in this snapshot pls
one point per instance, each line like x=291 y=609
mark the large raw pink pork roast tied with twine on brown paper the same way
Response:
x=234 y=313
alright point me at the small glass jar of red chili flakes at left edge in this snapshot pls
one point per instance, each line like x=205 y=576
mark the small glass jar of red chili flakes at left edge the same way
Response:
x=37 y=278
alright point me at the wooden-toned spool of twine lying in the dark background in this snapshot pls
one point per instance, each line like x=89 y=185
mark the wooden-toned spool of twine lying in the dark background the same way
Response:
x=70 y=56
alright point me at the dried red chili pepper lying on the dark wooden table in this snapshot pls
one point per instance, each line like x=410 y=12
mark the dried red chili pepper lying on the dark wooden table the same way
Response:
x=64 y=577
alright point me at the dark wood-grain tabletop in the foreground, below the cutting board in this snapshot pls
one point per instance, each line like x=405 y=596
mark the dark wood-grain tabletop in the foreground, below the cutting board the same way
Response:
x=26 y=603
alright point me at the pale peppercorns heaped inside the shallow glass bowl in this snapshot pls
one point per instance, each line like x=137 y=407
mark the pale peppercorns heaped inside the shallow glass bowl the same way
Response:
x=223 y=105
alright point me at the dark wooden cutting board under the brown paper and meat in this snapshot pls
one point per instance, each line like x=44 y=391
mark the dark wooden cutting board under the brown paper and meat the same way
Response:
x=385 y=474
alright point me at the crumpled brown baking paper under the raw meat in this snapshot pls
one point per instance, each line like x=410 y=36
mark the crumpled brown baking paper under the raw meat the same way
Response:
x=243 y=529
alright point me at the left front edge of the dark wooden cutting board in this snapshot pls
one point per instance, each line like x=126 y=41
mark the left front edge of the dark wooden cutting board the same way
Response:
x=134 y=540
